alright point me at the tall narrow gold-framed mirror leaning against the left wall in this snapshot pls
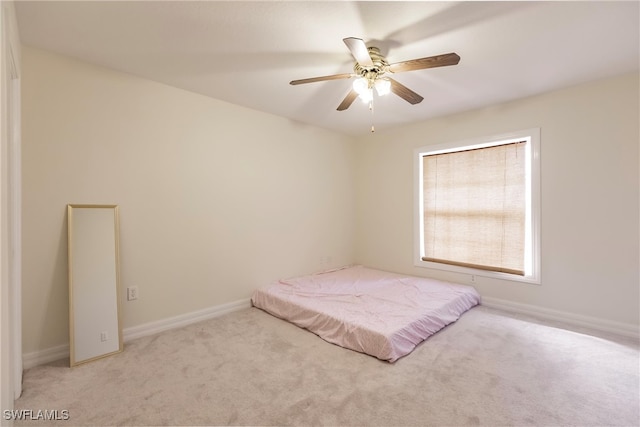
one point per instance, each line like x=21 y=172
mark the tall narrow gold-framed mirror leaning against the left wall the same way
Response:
x=94 y=292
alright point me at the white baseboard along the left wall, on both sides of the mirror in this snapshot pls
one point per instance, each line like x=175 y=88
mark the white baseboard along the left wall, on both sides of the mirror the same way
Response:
x=29 y=360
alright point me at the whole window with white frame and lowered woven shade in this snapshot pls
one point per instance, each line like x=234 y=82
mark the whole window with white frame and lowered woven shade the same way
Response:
x=477 y=206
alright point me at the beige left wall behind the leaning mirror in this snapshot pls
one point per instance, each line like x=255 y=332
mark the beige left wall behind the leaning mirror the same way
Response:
x=215 y=199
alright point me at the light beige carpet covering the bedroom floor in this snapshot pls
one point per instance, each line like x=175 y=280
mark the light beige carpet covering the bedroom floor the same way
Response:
x=249 y=368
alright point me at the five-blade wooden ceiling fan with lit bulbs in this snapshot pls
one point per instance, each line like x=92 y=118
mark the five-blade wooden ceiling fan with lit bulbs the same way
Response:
x=372 y=69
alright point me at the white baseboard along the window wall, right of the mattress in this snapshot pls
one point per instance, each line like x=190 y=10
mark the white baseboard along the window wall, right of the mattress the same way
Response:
x=618 y=328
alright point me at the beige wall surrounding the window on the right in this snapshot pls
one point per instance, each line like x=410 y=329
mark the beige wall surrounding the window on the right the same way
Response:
x=589 y=180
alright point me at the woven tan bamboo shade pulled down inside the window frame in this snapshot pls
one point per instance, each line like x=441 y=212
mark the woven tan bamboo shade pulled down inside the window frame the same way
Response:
x=474 y=208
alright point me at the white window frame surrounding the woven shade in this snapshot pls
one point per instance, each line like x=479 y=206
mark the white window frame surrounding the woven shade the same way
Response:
x=532 y=240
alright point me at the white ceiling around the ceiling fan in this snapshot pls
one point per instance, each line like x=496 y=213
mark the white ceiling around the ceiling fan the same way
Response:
x=247 y=52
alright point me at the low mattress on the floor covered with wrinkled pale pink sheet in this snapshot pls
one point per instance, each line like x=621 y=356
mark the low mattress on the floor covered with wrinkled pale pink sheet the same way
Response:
x=371 y=311
